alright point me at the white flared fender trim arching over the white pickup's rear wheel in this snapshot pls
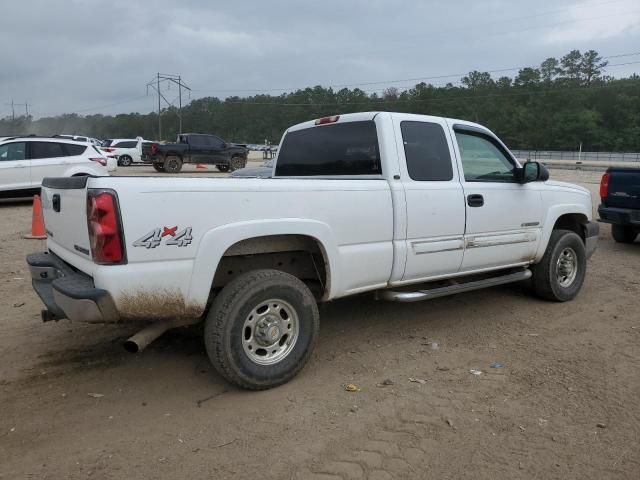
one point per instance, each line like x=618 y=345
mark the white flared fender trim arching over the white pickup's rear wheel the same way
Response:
x=218 y=240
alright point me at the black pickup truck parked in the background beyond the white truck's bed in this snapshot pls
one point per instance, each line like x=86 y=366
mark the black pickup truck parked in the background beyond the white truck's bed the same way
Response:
x=195 y=148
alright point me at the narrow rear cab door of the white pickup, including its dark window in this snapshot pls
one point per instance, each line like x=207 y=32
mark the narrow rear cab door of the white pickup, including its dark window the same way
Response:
x=434 y=198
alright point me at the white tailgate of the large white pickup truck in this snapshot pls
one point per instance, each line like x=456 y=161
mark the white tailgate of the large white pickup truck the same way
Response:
x=64 y=204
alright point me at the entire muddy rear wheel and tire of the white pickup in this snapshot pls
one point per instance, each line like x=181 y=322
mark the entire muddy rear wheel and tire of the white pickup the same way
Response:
x=261 y=329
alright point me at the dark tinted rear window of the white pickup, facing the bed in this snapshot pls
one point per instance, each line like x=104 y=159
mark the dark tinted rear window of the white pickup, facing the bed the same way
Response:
x=349 y=148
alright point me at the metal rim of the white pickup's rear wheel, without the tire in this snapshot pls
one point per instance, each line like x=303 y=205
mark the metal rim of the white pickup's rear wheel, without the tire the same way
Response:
x=270 y=331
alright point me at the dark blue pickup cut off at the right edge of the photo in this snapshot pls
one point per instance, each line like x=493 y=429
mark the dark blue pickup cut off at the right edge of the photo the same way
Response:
x=620 y=195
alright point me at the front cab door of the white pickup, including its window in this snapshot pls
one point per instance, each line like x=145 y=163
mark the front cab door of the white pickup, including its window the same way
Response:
x=504 y=217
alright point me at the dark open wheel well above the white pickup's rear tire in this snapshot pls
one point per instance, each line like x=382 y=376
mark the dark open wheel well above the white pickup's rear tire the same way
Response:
x=299 y=255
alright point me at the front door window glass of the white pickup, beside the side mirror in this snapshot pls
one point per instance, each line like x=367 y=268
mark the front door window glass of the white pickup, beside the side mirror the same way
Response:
x=483 y=160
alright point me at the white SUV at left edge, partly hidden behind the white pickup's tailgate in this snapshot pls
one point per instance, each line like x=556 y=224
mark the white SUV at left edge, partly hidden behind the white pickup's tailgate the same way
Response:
x=25 y=161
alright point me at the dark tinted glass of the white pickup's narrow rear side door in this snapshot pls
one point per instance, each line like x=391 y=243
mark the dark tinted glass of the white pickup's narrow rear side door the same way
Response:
x=426 y=151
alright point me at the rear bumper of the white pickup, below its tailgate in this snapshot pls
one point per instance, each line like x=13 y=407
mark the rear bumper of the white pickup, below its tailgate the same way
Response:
x=68 y=293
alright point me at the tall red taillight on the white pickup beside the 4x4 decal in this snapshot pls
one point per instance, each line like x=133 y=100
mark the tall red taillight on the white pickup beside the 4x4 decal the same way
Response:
x=105 y=230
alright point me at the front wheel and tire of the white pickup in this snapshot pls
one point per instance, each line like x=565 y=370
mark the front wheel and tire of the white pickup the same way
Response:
x=561 y=272
